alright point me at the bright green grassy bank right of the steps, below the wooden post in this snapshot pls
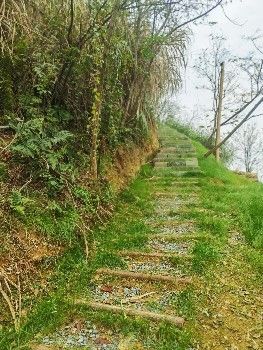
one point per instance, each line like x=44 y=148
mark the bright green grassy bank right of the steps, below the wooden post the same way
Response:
x=234 y=203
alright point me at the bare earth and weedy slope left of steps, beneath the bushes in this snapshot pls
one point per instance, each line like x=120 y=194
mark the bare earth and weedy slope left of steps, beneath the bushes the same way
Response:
x=38 y=227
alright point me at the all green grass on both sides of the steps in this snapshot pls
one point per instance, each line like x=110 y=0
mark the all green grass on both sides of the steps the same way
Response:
x=230 y=202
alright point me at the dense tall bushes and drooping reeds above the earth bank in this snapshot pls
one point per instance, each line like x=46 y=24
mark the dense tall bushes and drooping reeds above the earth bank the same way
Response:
x=79 y=78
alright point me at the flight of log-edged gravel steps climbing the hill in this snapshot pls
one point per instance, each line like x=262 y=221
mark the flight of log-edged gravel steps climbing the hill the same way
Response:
x=154 y=276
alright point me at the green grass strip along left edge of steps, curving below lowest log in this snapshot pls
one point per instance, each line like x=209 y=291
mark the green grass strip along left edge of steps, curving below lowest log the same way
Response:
x=126 y=229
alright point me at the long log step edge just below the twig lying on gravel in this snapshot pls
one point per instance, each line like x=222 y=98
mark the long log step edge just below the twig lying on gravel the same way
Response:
x=175 y=320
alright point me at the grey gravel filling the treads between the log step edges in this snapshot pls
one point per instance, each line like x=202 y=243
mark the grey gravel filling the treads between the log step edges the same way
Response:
x=142 y=295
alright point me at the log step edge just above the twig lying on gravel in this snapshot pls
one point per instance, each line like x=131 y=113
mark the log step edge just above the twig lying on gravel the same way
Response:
x=144 y=276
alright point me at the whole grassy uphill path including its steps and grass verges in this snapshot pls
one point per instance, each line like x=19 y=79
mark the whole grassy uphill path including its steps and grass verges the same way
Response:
x=169 y=271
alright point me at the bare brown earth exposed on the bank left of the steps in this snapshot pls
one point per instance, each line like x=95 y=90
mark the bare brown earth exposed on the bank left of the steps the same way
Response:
x=27 y=256
